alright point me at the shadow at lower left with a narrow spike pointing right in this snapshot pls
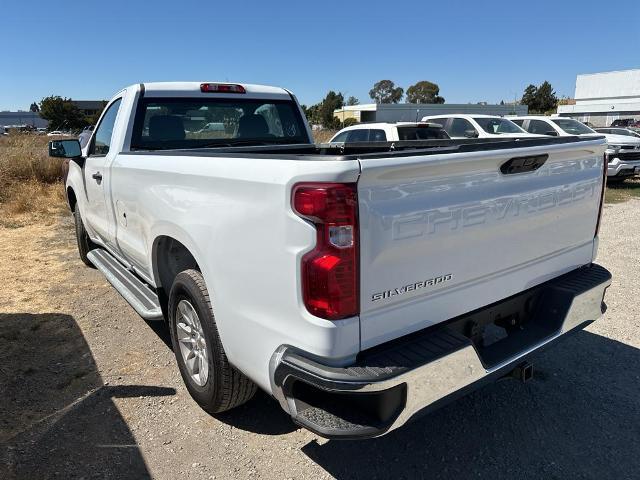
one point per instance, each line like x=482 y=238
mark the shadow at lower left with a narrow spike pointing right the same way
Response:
x=57 y=417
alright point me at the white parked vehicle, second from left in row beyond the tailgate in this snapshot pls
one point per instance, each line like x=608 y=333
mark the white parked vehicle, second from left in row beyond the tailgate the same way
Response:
x=477 y=126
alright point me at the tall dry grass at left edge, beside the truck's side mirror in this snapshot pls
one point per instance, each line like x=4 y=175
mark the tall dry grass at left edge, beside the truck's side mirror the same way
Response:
x=30 y=187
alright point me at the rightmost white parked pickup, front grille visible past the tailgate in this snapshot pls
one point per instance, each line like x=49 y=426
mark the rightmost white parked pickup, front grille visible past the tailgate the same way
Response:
x=623 y=152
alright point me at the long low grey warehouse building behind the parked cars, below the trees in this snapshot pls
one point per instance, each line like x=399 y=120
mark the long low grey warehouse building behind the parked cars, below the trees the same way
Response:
x=410 y=112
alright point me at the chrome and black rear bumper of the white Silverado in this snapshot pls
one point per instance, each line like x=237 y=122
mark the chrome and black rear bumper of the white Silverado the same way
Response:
x=390 y=384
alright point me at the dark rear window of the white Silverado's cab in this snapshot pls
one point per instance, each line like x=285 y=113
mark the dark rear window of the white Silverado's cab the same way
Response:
x=182 y=123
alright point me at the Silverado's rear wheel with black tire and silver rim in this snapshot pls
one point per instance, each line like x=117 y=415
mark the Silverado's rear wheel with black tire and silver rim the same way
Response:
x=224 y=386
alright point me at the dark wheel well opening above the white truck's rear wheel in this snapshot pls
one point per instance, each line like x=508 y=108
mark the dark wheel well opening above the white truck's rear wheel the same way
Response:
x=170 y=258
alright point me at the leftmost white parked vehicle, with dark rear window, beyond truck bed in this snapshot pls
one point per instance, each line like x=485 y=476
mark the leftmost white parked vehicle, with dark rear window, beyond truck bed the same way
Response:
x=389 y=132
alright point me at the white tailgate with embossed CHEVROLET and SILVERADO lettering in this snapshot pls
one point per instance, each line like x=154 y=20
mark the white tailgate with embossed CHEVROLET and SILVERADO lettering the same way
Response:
x=445 y=234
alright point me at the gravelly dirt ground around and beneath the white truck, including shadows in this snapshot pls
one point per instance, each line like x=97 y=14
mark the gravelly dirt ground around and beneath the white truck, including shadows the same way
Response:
x=89 y=390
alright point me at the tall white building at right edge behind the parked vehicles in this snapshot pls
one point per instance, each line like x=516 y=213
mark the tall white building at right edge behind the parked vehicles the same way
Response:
x=604 y=97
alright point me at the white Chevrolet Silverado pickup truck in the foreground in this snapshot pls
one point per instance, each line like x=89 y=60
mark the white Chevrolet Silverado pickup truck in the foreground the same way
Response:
x=358 y=284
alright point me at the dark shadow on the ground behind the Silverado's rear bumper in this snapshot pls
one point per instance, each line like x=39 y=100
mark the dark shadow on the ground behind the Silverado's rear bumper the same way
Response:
x=579 y=418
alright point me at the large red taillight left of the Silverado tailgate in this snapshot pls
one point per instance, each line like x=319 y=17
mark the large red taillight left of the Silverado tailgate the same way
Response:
x=330 y=271
